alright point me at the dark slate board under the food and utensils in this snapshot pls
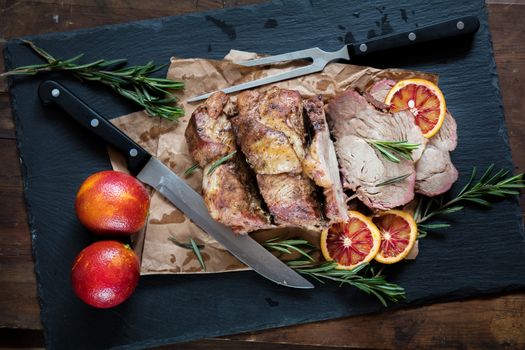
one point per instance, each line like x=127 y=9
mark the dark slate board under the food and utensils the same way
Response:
x=480 y=254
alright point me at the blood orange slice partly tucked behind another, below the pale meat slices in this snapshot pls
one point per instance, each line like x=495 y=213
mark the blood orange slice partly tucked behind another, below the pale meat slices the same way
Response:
x=398 y=235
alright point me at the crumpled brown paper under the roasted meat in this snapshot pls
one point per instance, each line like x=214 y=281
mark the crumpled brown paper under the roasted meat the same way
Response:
x=165 y=140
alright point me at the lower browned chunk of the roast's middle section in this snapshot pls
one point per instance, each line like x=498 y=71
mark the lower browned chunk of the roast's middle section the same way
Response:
x=291 y=200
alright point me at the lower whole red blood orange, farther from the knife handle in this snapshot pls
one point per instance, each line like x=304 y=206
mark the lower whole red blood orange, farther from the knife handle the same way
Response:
x=105 y=273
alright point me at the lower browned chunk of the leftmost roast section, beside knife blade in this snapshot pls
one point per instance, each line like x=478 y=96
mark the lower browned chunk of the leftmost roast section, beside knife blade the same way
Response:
x=231 y=197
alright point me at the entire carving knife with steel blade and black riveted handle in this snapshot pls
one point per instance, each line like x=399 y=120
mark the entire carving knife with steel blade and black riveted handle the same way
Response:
x=151 y=171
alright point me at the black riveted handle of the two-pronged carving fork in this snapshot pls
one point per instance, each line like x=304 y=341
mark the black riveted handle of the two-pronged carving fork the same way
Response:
x=455 y=27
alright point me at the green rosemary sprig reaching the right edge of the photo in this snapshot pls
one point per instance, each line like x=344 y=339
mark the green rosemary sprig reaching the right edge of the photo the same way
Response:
x=486 y=188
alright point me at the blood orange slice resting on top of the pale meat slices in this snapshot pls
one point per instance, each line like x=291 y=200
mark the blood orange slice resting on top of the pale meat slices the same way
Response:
x=424 y=99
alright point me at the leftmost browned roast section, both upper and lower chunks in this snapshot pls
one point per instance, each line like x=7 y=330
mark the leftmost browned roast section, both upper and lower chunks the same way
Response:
x=229 y=192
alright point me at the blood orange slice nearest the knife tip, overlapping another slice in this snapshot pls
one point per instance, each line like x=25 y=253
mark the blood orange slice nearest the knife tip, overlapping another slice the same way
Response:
x=350 y=243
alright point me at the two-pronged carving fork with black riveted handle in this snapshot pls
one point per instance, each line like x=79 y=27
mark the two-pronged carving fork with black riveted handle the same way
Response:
x=320 y=58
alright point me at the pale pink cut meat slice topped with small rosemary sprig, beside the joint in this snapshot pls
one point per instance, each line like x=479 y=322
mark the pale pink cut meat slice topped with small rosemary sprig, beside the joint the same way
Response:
x=354 y=121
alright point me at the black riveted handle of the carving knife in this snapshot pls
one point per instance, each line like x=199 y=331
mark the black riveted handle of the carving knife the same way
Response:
x=51 y=92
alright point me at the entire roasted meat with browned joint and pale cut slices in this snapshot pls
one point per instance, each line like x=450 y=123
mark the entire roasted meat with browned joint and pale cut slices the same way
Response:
x=293 y=161
